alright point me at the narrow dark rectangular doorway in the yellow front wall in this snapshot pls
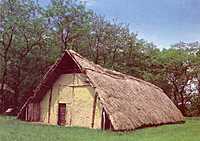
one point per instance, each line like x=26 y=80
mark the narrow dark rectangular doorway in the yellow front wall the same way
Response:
x=61 y=114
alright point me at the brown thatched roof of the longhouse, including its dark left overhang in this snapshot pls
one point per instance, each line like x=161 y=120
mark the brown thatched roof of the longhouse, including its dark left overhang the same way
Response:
x=130 y=102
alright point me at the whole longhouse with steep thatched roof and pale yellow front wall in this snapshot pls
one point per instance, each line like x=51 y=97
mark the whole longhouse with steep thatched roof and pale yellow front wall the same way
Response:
x=77 y=92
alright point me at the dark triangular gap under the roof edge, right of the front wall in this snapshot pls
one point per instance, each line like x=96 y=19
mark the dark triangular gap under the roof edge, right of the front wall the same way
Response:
x=105 y=121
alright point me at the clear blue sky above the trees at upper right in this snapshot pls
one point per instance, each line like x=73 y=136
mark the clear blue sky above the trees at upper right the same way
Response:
x=163 y=22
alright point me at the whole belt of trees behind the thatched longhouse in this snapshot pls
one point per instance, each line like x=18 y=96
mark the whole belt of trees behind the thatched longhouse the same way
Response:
x=32 y=37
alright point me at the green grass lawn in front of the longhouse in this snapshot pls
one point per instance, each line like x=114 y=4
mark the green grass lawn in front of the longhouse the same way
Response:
x=14 y=130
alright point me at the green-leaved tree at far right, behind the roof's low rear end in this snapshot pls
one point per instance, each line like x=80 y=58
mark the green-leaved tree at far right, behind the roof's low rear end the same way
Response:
x=175 y=71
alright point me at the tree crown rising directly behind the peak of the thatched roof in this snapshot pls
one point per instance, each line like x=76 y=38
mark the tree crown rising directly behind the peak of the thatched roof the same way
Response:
x=68 y=21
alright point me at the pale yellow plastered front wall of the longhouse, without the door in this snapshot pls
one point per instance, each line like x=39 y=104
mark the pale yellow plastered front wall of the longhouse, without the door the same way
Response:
x=78 y=95
